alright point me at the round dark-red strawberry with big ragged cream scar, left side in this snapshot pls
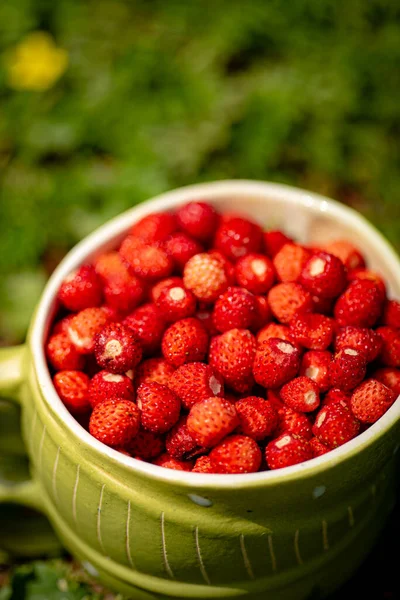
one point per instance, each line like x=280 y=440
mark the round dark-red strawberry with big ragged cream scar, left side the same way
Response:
x=117 y=349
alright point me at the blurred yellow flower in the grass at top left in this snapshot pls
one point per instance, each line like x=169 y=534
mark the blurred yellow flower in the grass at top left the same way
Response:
x=35 y=63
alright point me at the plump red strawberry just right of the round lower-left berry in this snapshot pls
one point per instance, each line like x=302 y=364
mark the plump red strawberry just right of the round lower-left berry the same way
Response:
x=159 y=407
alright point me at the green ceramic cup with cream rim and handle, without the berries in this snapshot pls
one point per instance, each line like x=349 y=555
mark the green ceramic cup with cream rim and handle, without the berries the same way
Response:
x=156 y=533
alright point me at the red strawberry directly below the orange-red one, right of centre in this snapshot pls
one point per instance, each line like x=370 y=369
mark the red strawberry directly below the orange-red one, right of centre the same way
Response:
x=313 y=331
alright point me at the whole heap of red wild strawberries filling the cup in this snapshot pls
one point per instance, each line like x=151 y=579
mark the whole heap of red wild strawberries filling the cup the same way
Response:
x=205 y=344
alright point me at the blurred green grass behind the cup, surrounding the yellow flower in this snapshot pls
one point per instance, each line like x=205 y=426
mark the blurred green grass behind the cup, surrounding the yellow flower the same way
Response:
x=159 y=94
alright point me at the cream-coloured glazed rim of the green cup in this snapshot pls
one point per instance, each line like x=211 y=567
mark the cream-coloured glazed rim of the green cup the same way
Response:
x=206 y=191
